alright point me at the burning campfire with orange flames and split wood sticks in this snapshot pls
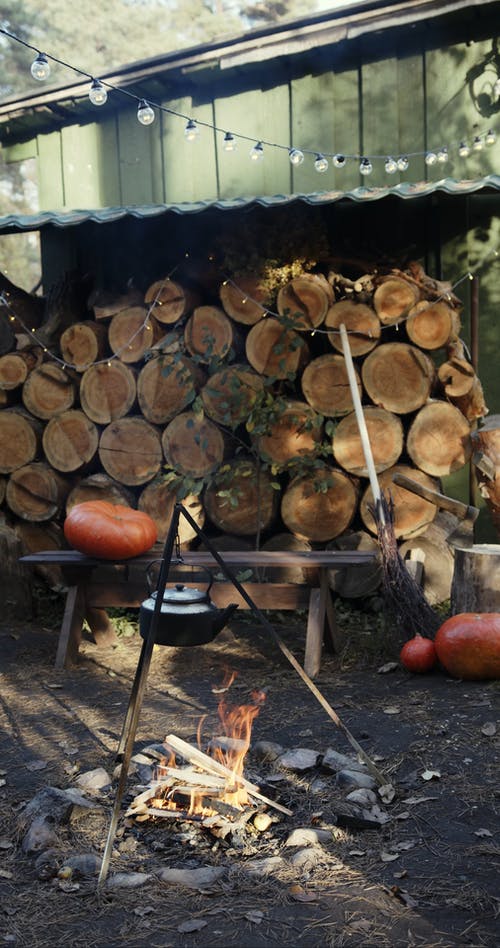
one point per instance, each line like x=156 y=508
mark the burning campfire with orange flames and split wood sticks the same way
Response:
x=207 y=785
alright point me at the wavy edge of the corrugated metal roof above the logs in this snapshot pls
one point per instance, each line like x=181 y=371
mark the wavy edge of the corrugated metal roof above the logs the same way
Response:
x=19 y=222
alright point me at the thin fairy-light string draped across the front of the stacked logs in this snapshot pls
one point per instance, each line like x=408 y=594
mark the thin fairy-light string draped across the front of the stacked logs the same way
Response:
x=491 y=256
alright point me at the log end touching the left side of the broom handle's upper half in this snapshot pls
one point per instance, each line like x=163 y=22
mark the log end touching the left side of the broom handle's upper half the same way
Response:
x=325 y=386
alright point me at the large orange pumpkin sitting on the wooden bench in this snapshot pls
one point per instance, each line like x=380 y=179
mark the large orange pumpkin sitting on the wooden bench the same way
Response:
x=109 y=531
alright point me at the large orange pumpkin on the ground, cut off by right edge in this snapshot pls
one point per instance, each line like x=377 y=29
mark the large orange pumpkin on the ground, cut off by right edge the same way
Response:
x=468 y=645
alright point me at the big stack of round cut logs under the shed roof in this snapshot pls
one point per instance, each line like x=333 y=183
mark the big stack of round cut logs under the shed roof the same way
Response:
x=237 y=404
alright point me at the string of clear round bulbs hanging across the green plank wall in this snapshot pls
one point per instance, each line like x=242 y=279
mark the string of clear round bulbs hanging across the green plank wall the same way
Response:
x=316 y=152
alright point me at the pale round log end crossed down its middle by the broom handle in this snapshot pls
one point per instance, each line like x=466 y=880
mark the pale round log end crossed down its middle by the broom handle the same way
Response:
x=385 y=433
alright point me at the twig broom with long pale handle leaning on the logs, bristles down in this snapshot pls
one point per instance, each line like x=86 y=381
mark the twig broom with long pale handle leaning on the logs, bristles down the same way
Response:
x=404 y=599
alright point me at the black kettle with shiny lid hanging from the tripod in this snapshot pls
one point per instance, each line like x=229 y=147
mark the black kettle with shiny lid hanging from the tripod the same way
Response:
x=187 y=616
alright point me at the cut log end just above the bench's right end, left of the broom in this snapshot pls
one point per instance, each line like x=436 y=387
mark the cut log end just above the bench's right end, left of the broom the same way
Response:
x=319 y=506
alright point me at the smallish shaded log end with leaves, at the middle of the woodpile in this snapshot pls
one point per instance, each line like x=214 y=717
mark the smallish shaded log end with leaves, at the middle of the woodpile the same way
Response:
x=230 y=394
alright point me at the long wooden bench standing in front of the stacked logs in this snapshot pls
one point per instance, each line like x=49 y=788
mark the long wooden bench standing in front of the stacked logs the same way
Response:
x=94 y=585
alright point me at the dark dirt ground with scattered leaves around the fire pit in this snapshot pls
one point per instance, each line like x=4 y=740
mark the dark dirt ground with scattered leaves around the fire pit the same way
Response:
x=427 y=876
